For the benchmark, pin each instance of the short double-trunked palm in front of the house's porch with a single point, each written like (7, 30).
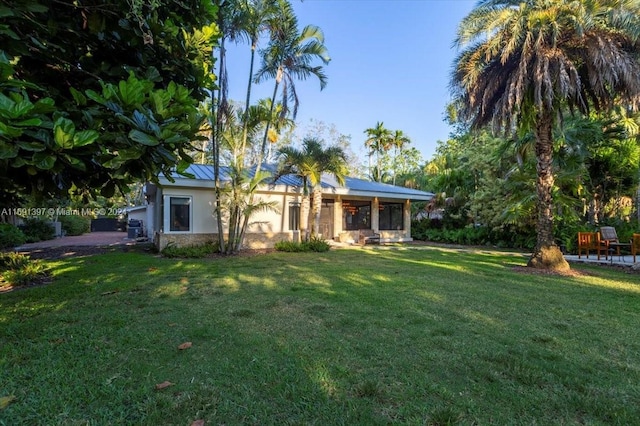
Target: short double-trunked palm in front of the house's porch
(309, 163)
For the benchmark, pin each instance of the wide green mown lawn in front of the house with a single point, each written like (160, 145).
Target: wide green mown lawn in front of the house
(359, 337)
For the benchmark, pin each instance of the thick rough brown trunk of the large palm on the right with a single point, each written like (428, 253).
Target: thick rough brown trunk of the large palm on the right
(547, 254)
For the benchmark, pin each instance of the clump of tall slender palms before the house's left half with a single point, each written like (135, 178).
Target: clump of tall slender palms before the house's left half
(290, 54)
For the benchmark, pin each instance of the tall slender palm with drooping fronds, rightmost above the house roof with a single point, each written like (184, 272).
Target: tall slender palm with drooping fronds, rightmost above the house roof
(289, 56)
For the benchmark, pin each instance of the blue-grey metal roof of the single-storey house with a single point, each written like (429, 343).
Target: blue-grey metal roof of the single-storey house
(353, 186)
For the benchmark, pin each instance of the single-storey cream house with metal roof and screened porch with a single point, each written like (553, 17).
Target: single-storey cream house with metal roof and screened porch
(182, 212)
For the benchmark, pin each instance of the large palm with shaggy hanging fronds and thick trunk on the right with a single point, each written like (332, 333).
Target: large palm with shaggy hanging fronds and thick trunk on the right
(523, 61)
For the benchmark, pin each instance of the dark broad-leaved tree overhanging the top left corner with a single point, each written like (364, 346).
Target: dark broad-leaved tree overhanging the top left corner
(105, 98)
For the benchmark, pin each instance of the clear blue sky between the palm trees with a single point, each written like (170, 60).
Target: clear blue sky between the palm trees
(390, 62)
